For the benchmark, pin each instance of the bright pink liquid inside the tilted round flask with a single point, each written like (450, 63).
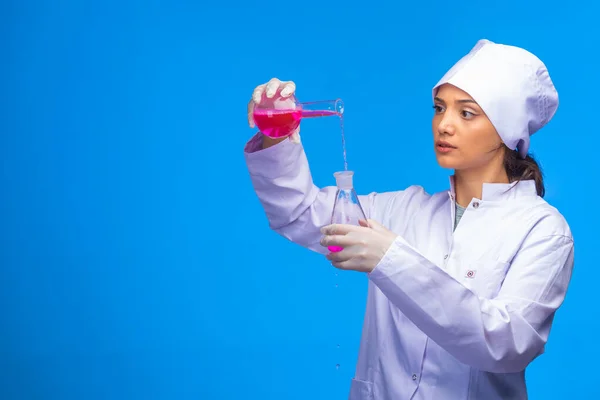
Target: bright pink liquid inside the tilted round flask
(281, 123)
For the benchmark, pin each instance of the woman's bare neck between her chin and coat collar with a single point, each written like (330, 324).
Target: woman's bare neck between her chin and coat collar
(468, 184)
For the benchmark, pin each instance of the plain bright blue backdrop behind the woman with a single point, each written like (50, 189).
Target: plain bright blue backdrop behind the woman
(136, 261)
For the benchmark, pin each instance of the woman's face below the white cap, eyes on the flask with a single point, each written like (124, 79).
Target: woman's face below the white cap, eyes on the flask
(464, 137)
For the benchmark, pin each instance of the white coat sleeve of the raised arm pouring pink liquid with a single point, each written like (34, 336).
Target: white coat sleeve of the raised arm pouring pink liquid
(295, 207)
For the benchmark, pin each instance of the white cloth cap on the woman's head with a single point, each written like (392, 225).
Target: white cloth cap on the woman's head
(511, 85)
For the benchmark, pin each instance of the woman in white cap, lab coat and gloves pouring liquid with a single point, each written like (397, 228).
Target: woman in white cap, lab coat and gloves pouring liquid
(463, 284)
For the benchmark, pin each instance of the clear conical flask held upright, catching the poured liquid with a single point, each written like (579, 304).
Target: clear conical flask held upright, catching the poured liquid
(347, 208)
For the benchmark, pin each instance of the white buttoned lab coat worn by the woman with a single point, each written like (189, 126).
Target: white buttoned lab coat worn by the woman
(450, 314)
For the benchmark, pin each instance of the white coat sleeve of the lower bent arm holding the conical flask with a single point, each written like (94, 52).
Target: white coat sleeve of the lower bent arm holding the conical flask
(503, 334)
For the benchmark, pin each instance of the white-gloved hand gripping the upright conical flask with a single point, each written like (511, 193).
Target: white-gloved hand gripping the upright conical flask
(363, 246)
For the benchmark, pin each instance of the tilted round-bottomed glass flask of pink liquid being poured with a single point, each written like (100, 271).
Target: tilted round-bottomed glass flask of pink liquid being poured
(280, 116)
